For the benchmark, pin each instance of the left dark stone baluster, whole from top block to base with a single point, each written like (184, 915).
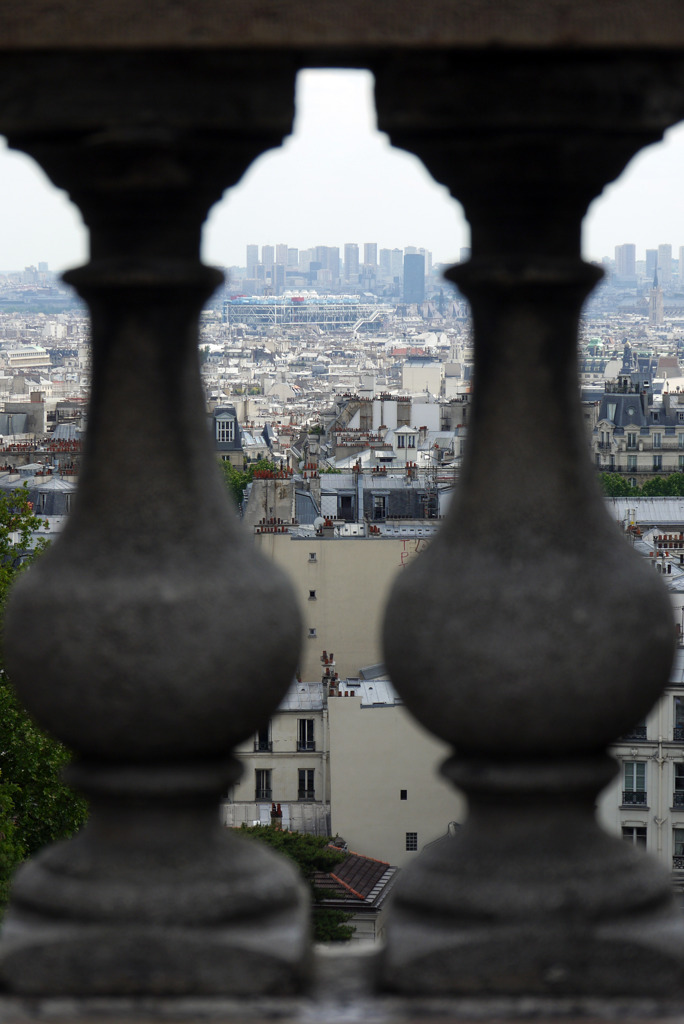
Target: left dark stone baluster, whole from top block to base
(151, 638)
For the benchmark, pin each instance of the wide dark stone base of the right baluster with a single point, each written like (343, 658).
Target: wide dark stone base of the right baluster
(533, 898)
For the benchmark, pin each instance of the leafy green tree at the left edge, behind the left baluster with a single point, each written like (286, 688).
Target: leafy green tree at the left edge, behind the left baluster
(35, 807)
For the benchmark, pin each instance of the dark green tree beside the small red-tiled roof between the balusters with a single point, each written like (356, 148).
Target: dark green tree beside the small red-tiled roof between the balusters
(312, 855)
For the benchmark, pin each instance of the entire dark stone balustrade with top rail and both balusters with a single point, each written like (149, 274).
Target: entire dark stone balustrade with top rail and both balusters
(169, 643)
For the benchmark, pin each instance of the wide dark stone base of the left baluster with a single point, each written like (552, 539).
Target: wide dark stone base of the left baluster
(155, 898)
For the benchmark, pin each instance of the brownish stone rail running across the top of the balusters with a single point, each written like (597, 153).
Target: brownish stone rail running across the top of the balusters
(351, 24)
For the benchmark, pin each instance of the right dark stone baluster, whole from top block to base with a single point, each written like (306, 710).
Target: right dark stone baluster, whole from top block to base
(529, 635)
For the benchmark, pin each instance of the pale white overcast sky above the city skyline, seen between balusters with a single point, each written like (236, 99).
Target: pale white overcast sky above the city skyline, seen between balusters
(336, 180)
